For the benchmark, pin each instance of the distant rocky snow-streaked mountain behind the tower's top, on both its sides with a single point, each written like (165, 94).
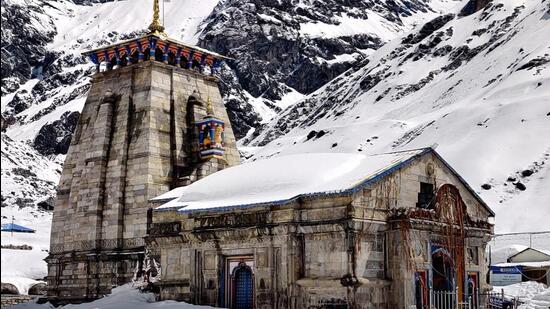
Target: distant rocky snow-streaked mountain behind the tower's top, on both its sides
(60, 76)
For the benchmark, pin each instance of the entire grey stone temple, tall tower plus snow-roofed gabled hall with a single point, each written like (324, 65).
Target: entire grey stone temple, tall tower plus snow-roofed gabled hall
(153, 192)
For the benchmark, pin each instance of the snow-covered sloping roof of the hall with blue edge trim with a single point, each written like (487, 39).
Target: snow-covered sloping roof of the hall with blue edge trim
(280, 180)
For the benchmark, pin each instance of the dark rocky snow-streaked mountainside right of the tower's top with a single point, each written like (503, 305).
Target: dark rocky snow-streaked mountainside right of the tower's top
(279, 45)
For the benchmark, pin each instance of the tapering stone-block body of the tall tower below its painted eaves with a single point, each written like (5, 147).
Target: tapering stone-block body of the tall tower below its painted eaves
(135, 140)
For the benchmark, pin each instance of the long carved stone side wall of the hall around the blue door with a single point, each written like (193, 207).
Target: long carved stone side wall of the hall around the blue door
(310, 254)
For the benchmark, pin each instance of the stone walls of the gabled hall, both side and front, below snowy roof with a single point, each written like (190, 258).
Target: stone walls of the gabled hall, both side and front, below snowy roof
(334, 250)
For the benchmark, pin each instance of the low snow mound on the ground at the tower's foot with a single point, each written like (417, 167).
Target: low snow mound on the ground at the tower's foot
(123, 297)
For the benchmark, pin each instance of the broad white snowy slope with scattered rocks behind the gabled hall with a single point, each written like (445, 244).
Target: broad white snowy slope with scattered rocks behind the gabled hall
(477, 85)
